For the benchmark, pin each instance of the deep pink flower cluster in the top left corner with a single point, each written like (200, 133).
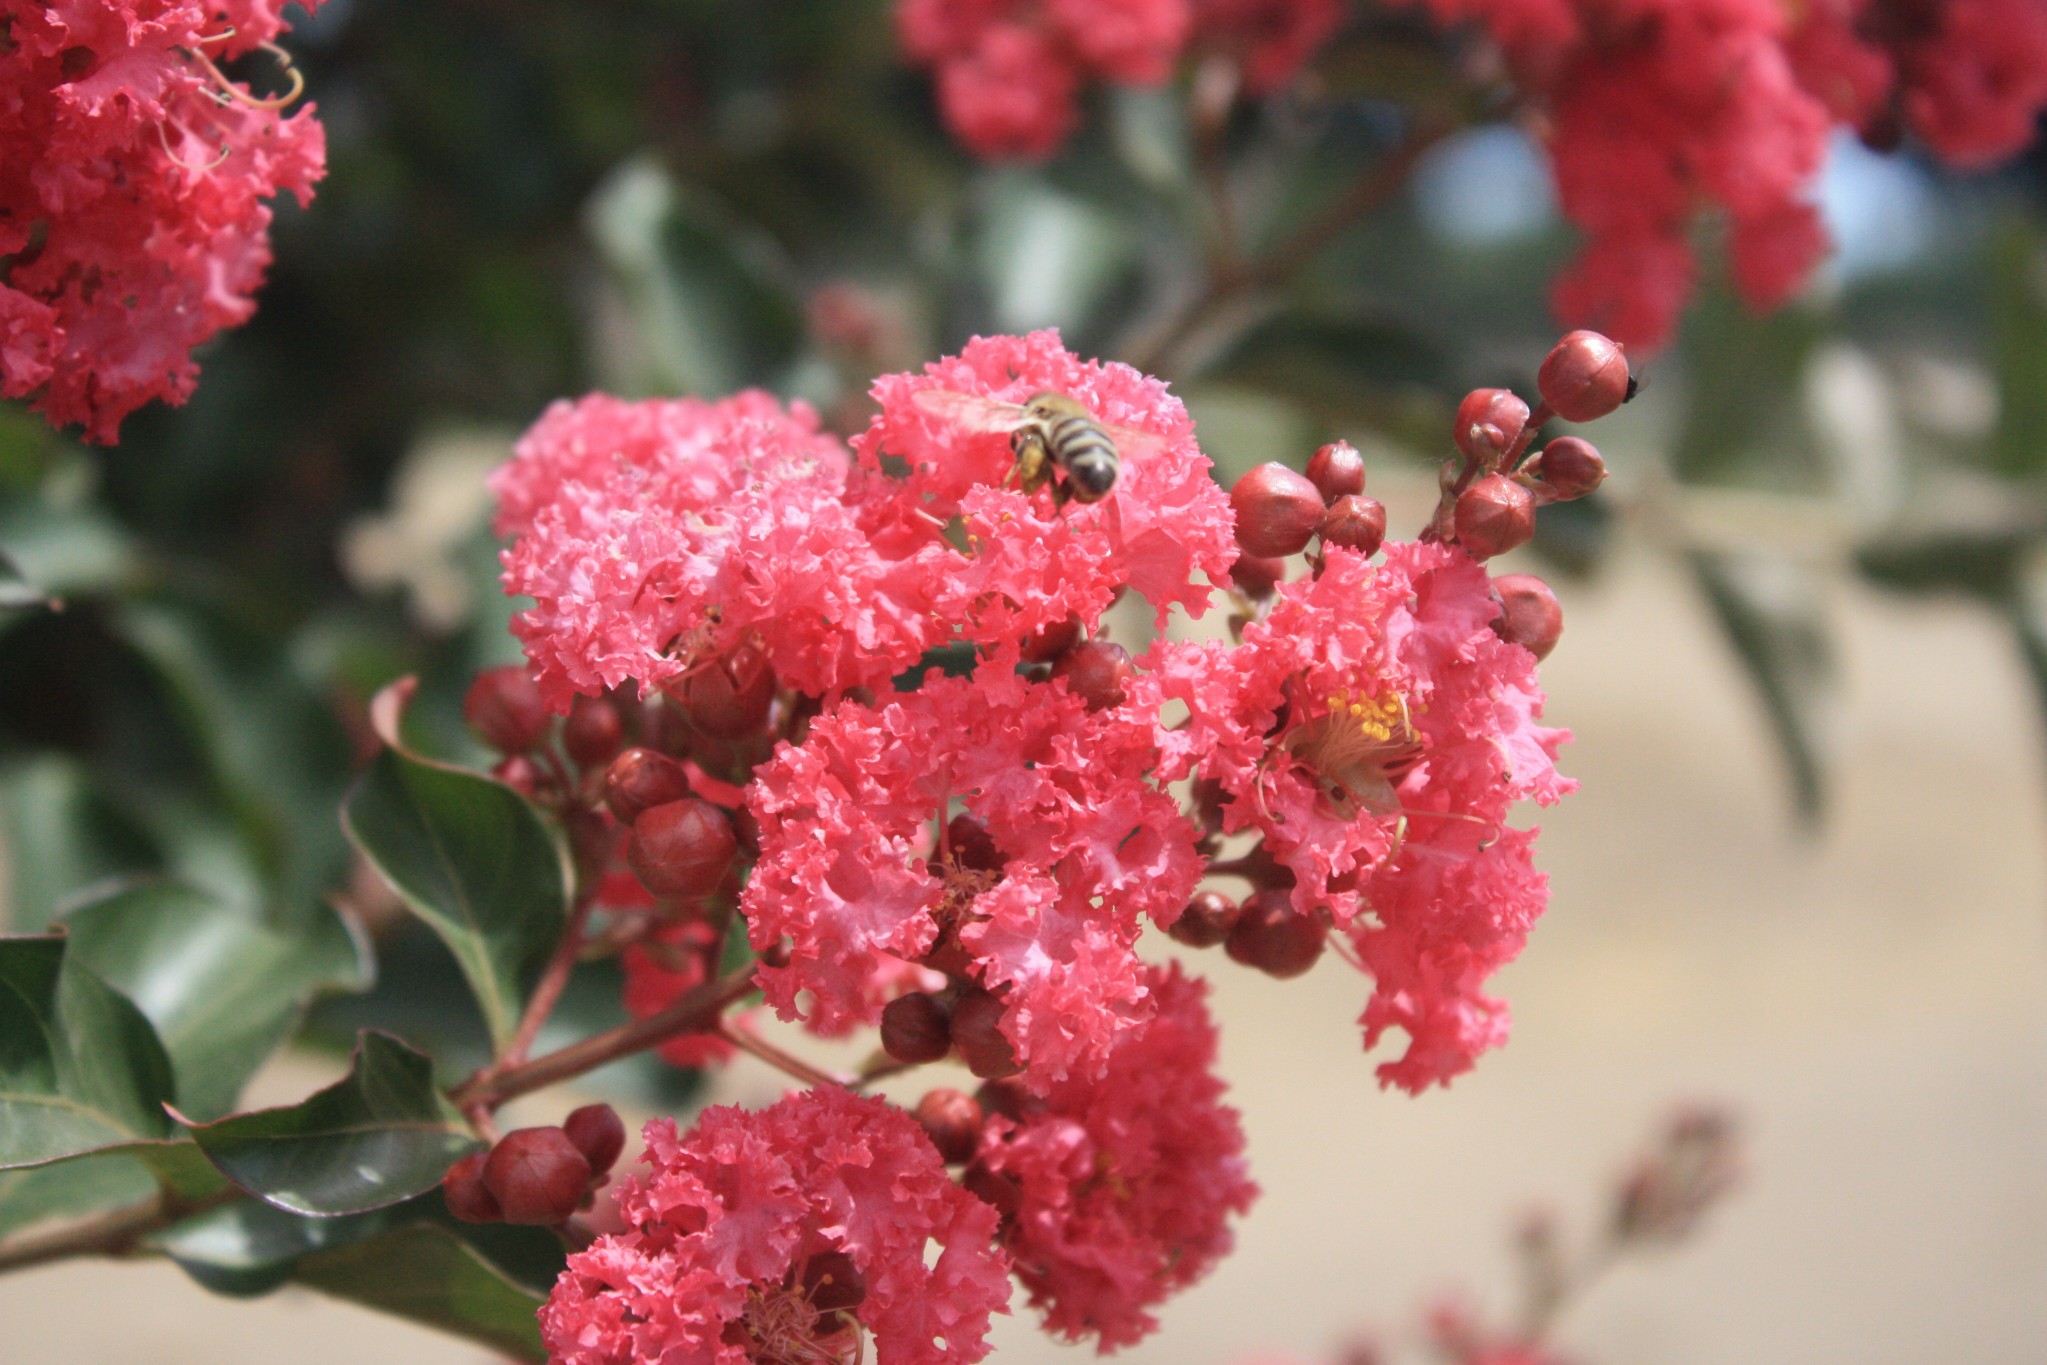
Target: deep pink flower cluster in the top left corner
(134, 195)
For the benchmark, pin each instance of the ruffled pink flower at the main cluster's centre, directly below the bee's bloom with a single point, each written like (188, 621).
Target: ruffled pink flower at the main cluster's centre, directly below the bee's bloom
(1084, 852)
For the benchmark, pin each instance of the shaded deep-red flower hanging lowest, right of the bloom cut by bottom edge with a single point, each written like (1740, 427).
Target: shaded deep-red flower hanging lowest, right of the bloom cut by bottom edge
(1123, 1188)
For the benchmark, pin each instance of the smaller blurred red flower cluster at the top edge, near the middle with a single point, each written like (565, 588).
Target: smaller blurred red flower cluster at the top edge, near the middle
(1010, 73)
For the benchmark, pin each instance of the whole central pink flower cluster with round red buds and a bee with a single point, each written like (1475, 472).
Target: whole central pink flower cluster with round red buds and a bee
(736, 715)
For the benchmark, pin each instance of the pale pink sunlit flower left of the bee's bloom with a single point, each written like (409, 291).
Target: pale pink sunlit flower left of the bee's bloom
(658, 537)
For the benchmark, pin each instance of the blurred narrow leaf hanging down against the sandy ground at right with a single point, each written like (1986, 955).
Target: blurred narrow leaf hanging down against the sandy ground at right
(1772, 615)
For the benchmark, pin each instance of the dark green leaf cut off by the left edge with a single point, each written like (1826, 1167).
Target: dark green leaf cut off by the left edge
(81, 1069)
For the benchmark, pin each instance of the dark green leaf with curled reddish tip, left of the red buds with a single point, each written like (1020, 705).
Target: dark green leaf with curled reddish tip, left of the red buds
(476, 863)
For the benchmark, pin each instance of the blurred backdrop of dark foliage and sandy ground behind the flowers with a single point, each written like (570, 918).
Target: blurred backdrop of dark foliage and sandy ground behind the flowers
(1806, 644)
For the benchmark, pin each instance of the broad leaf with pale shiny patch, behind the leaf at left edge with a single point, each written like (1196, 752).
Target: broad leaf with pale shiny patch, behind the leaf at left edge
(222, 985)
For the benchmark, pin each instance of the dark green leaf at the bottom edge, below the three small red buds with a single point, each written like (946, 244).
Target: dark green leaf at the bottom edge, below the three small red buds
(435, 1278)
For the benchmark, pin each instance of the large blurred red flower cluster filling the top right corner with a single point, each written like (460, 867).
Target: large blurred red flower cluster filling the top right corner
(1661, 107)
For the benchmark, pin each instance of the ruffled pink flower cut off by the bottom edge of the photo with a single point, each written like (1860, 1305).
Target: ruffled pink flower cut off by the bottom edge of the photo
(785, 1237)
